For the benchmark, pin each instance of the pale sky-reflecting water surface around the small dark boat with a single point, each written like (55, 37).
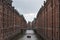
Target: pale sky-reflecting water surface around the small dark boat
(29, 33)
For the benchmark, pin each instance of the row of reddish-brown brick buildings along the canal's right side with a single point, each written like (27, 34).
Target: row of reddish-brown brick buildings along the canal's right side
(48, 20)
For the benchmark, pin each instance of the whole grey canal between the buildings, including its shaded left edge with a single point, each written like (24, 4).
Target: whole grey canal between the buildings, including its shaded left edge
(29, 35)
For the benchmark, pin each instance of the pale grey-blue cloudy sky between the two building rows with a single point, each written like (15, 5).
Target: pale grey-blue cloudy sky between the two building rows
(28, 8)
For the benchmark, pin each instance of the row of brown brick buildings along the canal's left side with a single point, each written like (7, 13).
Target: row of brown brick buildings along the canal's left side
(11, 22)
